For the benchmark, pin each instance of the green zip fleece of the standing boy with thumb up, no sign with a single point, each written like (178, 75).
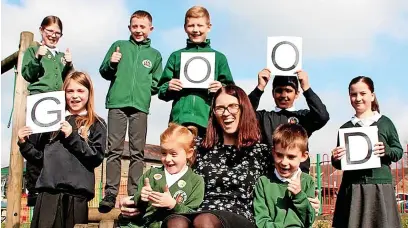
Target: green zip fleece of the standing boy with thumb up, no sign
(134, 79)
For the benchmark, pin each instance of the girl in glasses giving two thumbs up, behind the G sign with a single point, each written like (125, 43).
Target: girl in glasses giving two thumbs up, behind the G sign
(45, 68)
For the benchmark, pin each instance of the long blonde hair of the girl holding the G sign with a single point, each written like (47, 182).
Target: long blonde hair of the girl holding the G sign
(86, 120)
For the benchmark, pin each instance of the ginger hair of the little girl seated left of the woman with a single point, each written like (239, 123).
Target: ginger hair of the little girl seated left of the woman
(184, 135)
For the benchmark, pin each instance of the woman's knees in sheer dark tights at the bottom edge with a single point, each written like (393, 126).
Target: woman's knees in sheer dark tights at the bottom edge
(205, 220)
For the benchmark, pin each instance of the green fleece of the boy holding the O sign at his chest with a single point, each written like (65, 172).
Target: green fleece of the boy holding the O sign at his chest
(192, 105)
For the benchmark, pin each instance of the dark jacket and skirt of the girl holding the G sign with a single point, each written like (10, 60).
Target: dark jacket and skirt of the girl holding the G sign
(67, 179)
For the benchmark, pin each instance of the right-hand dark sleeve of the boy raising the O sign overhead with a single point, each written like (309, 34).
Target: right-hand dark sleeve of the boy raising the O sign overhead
(317, 116)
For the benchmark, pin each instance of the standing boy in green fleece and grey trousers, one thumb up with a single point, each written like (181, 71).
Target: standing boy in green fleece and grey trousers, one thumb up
(133, 67)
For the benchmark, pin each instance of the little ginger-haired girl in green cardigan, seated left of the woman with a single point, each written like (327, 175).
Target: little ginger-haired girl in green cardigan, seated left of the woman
(173, 188)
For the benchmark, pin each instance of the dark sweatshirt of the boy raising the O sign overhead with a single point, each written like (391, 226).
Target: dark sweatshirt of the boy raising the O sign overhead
(311, 119)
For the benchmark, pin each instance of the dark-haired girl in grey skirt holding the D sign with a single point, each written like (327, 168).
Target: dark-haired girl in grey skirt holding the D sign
(368, 193)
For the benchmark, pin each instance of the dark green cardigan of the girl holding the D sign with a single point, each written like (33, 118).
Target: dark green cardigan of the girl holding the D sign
(393, 153)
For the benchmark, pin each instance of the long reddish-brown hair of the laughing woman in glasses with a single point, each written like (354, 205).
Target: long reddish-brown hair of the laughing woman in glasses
(248, 132)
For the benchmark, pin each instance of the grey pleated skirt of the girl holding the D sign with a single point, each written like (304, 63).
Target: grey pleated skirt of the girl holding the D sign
(366, 206)
